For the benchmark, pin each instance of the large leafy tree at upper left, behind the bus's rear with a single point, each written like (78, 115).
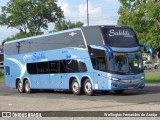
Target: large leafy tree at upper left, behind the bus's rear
(30, 15)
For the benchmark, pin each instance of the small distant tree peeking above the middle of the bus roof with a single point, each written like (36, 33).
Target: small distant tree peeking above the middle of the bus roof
(64, 25)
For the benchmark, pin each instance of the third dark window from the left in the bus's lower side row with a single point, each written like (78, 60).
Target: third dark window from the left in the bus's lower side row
(53, 65)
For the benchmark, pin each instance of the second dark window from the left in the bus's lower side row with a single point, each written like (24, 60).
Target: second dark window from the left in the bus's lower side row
(43, 68)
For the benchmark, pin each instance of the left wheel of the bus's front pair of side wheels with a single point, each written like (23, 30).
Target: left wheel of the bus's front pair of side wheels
(76, 90)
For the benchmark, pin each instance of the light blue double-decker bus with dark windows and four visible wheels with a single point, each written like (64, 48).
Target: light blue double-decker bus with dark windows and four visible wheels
(86, 59)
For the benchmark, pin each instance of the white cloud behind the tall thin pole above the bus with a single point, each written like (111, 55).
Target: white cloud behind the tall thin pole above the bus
(96, 16)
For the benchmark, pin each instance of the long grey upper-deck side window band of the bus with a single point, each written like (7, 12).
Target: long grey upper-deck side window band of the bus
(46, 42)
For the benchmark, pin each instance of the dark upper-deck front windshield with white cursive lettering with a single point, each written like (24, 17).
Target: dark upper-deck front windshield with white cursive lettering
(119, 37)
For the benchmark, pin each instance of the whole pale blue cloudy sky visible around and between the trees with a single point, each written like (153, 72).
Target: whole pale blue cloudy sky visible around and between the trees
(101, 12)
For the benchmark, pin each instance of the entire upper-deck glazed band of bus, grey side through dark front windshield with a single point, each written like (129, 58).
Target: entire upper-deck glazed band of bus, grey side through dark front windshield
(111, 35)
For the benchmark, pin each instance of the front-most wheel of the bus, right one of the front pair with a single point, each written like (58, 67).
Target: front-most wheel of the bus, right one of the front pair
(88, 90)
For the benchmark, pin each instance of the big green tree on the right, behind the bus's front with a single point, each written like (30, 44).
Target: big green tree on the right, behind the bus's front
(144, 17)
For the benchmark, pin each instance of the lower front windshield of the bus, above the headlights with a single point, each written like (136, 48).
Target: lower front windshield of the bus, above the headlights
(126, 63)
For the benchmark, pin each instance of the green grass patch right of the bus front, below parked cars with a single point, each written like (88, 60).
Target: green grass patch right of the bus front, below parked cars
(152, 77)
